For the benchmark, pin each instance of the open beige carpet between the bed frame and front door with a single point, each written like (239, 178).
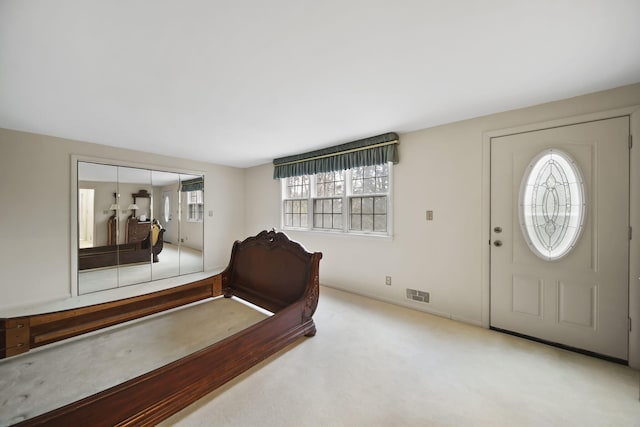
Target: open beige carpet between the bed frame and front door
(375, 364)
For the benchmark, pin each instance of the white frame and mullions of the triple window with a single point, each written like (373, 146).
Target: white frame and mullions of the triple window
(346, 207)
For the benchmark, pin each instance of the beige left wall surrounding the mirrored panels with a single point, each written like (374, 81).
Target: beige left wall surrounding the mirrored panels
(35, 225)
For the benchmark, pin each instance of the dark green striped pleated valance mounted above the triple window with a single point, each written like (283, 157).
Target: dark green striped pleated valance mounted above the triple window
(364, 152)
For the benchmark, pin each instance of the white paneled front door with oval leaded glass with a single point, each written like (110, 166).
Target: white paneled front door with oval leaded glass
(574, 293)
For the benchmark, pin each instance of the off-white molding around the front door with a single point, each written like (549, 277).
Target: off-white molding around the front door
(634, 212)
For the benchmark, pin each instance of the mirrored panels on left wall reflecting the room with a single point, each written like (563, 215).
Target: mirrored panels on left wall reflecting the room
(137, 225)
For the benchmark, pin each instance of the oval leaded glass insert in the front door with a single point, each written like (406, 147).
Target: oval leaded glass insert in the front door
(552, 204)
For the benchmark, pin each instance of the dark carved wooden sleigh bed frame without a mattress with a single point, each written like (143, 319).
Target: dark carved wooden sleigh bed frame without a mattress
(268, 270)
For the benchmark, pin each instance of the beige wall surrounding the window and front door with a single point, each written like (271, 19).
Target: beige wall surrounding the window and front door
(444, 169)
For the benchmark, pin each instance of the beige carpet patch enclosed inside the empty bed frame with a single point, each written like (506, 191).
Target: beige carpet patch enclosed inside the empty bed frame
(56, 375)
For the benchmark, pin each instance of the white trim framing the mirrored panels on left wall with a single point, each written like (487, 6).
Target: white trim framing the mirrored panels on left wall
(73, 218)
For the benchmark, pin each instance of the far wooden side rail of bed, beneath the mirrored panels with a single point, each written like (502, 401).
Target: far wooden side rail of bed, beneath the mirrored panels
(20, 334)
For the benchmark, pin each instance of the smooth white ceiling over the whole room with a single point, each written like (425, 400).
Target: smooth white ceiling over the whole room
(239, 82)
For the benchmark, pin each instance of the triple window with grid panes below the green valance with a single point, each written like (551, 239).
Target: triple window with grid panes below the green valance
(356, 200)
